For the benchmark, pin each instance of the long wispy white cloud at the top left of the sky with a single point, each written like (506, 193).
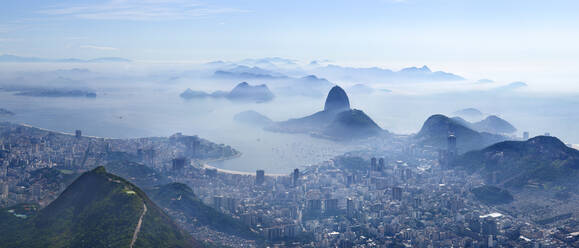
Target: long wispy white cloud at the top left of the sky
(140, 10)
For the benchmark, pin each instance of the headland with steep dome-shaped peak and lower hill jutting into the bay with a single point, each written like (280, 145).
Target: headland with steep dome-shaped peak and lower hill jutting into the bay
(337, 121)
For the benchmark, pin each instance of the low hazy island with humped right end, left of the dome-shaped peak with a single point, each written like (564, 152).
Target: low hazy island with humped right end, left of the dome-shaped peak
(241, 92)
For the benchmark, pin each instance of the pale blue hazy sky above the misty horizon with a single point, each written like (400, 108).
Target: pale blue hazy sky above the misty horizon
(473, 37)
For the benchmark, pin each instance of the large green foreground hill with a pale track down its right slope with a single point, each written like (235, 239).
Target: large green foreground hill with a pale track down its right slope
(98, 209)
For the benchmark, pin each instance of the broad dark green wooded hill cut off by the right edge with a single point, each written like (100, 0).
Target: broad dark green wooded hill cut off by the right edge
(538, 161)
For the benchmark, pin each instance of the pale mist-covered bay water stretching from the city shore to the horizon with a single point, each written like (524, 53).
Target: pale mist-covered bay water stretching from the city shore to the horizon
(139, 99)
